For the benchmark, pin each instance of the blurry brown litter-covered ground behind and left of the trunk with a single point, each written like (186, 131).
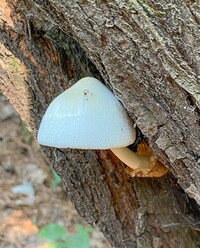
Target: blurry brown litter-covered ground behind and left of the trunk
(33, 203)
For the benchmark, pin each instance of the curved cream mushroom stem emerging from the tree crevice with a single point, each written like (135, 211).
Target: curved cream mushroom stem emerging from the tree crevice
(131, 159)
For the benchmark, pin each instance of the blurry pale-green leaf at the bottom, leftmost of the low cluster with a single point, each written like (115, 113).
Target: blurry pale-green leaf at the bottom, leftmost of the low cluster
(52, 232)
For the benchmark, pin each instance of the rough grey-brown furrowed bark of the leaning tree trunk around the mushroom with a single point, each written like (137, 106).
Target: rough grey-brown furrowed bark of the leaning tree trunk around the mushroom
(148, 54)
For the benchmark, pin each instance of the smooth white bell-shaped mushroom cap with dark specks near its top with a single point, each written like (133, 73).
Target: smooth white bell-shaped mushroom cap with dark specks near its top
(86, 116)
